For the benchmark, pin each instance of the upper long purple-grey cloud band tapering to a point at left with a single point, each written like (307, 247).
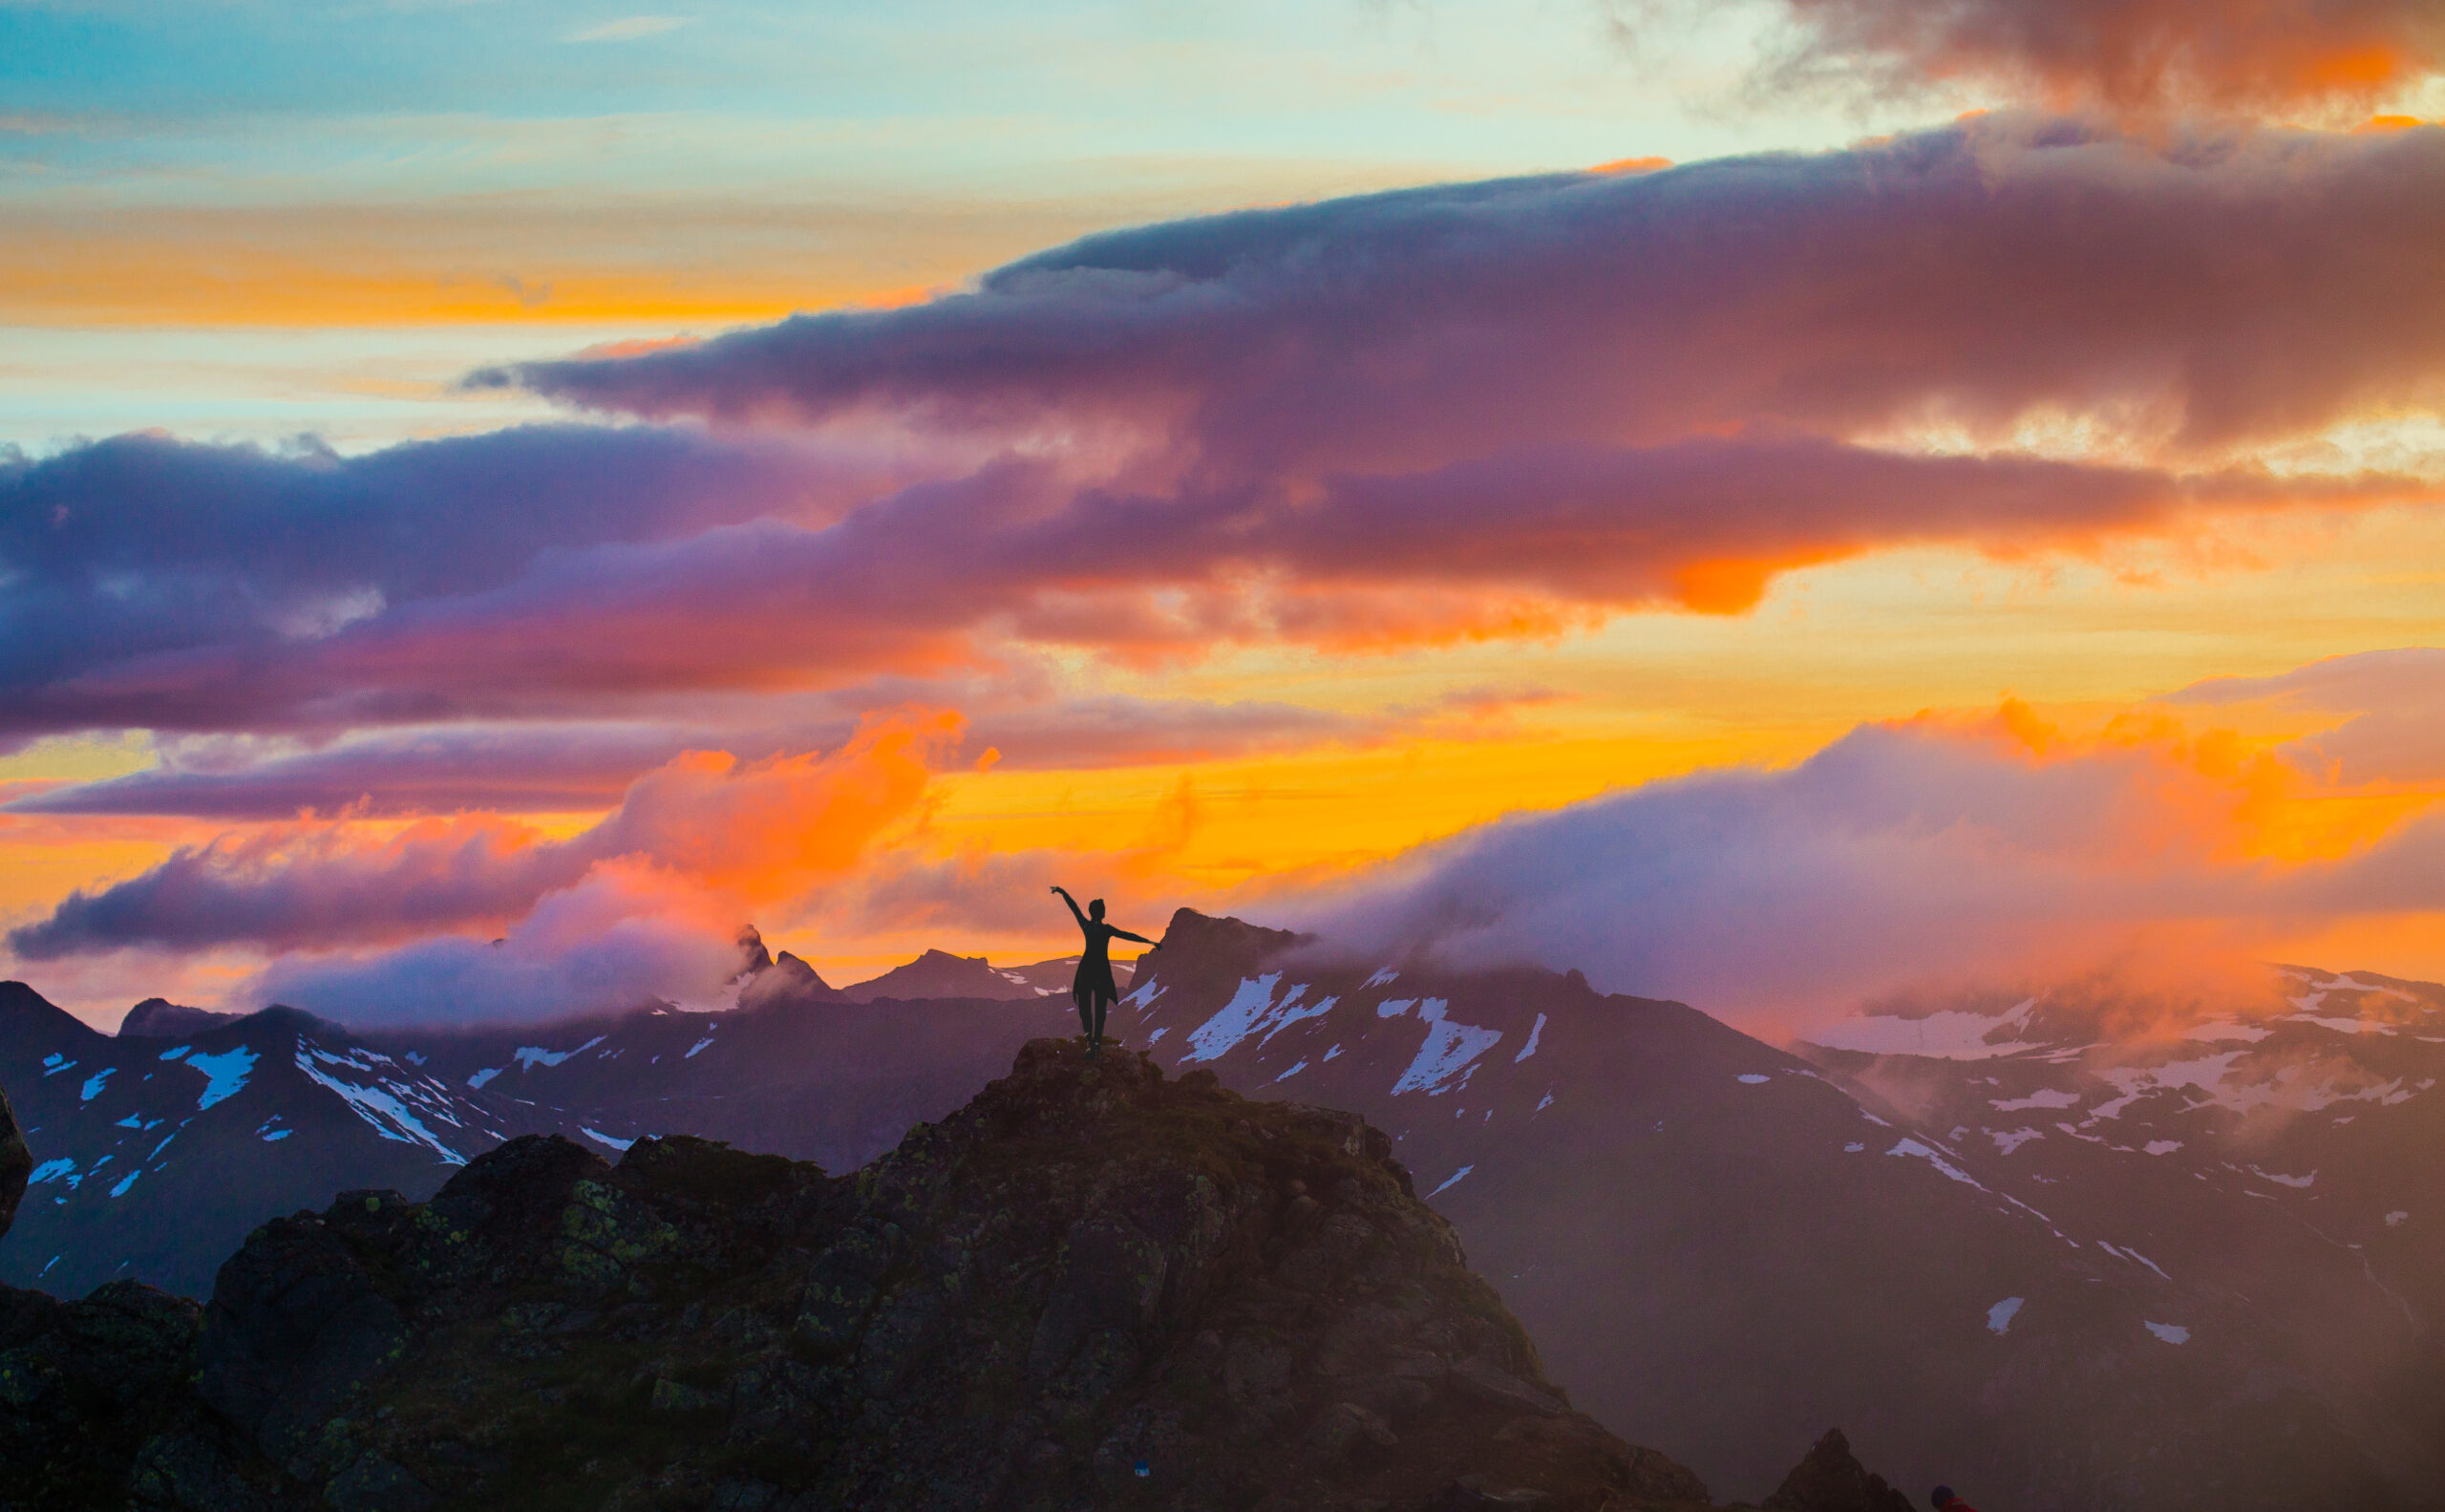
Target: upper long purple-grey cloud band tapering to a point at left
(2238, 285)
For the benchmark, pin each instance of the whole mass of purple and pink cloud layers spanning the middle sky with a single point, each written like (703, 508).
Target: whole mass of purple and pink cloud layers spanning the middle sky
(1397, 420)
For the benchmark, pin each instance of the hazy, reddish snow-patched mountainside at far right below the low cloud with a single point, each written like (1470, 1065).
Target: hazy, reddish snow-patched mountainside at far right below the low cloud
(2270, 1146)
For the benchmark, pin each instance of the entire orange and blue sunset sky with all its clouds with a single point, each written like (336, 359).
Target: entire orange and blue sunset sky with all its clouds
(1774, 505)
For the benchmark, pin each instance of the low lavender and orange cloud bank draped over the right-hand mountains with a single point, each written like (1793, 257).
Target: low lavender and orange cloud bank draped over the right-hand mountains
(1908, 855)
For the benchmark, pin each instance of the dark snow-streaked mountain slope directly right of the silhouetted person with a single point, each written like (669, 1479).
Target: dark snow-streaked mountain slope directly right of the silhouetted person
(1671, 1207)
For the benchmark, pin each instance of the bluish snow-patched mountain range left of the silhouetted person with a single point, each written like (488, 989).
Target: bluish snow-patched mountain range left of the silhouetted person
(158, 1156)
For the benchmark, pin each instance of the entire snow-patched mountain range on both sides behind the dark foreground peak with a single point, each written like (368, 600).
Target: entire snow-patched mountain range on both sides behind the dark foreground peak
(2048, 1251)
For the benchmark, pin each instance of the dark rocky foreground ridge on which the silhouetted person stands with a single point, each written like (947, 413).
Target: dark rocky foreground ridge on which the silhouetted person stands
(1089, 1288)
